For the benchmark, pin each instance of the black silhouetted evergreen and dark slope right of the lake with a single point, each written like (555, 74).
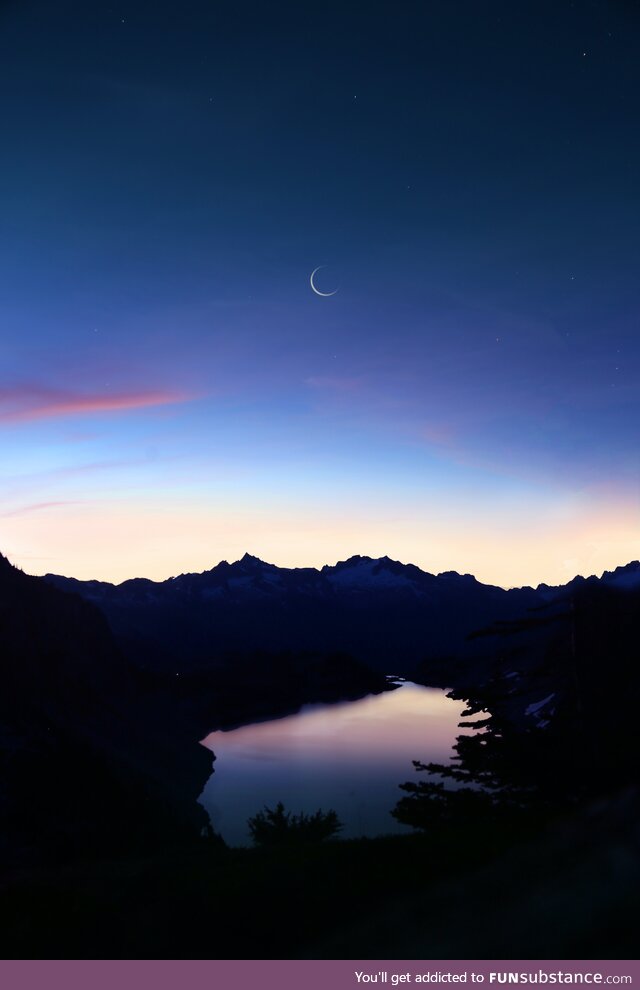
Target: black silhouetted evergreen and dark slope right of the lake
(582, 657)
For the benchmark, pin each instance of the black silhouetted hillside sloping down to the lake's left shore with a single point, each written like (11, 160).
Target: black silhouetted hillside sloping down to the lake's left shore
(83, 760)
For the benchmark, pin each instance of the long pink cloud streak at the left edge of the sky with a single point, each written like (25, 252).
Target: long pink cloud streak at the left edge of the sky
(21, 403)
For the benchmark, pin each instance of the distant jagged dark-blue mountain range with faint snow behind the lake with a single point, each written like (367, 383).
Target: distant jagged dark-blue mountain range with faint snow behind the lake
(390, 616)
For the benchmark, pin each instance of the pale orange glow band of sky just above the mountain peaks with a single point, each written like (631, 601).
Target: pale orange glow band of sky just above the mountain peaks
(115, 541)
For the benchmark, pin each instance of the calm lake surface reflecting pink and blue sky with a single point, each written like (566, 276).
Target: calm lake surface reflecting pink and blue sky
(348, 756)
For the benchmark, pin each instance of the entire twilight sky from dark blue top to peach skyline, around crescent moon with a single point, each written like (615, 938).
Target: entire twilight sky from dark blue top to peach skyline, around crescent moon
(172, 391)
